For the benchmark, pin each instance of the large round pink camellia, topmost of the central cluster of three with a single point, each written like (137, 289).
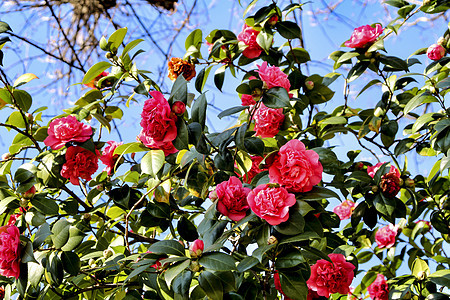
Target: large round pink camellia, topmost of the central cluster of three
(296, 168)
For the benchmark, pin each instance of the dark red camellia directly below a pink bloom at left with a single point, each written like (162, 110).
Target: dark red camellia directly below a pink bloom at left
(80, 163)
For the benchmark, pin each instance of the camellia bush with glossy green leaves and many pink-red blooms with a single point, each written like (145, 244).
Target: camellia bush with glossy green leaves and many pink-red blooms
(246, 213)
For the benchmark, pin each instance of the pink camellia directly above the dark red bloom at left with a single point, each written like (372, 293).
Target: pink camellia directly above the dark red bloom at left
(66, 129)
